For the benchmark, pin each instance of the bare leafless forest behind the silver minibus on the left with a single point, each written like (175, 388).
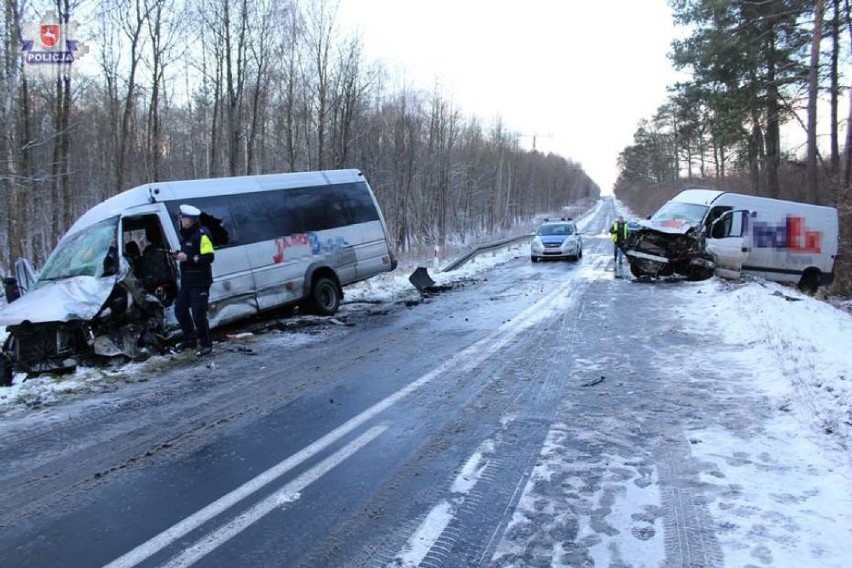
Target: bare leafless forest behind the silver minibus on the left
(196, 89)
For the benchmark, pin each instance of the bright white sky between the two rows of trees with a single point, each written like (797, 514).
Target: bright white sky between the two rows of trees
(579, 75)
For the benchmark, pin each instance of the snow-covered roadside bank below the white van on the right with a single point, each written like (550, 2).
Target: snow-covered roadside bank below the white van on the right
(796, 347)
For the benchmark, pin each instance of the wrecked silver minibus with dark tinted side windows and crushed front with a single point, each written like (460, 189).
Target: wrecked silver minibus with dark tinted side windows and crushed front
(280, 239)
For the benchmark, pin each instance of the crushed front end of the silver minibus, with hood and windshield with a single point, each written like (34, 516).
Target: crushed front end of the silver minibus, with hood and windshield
(85, 304)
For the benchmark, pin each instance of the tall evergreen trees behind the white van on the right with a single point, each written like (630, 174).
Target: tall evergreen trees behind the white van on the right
(761, 72)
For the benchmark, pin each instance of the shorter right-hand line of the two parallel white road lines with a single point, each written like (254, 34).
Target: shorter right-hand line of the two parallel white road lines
(287, 494)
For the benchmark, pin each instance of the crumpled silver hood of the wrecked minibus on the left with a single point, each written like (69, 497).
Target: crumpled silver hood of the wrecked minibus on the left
(78, 298)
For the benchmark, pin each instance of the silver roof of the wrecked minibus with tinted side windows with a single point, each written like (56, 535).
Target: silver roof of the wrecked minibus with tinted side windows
(197, 188)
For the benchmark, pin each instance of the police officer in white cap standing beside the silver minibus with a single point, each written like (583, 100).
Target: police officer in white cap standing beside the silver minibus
(196, 275)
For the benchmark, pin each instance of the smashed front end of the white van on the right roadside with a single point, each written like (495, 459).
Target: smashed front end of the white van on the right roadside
(668, 247)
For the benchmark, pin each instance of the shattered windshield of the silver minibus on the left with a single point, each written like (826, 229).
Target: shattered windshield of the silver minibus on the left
(90, 252)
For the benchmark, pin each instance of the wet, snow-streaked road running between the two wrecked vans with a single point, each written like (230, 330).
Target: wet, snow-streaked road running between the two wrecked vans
(539, 415)
